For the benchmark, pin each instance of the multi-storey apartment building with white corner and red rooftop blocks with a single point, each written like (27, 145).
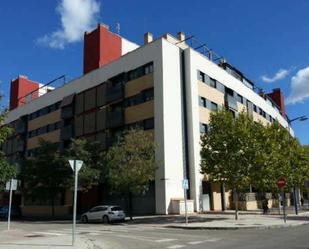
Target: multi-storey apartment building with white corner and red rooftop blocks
(164, 86)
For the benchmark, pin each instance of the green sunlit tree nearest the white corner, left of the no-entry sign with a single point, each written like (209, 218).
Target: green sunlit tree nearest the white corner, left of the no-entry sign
(226, 151)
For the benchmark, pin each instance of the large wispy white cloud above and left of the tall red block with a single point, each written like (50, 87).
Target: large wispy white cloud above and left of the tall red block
(77, 16)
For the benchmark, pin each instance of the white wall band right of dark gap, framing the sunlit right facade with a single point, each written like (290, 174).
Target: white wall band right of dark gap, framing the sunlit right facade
(196, 61)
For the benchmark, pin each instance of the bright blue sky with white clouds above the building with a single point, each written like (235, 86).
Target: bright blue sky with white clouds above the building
(268, 40)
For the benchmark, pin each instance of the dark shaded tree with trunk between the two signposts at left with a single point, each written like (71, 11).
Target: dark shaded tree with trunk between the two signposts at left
(47, 175)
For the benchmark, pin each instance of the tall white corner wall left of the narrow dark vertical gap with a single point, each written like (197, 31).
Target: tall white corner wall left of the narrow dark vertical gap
(170, 115)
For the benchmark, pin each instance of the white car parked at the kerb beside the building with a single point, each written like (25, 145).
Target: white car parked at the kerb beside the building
(104, 213)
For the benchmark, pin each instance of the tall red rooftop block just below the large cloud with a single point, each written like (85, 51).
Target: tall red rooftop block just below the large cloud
(100, 48)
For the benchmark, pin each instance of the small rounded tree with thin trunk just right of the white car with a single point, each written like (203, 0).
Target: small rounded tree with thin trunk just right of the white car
(131, 164)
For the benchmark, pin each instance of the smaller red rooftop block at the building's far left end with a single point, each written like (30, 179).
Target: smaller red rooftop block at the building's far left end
(21, 87)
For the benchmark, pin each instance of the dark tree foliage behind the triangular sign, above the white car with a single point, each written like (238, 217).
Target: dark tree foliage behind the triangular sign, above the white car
(93, 171)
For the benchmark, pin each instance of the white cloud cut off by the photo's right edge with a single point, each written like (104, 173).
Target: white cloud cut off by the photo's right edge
(299, 86)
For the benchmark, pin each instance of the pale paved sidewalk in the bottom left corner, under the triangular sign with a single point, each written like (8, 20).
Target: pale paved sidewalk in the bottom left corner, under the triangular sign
(21, 239)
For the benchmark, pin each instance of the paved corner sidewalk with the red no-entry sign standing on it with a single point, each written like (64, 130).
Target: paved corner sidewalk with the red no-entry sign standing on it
(223, 221)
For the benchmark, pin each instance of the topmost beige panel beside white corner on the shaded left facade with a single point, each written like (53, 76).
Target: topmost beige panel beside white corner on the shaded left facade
(134, 87)
